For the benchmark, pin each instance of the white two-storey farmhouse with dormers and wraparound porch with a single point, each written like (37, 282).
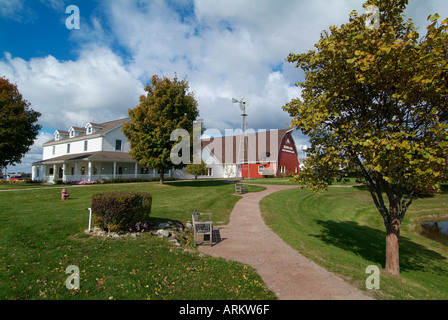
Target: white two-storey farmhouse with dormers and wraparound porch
(98, 151)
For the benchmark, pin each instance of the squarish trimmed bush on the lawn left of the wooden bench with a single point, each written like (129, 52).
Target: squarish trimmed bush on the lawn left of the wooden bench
(121, 211)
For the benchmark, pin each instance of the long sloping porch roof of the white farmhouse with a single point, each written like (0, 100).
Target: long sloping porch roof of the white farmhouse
(108, 156)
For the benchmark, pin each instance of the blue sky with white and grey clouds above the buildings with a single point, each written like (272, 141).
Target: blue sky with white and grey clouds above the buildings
(96, 71)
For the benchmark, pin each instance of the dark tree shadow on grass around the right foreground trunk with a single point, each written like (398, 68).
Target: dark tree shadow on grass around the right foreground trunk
(370, 244)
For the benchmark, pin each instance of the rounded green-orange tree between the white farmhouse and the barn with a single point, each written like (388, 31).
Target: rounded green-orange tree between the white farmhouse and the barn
(167, 106)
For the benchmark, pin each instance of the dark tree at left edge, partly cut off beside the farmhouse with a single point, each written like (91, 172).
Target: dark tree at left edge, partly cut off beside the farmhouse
(18, 124)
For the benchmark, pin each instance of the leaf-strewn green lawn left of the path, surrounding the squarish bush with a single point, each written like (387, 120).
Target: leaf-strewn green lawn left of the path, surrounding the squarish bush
(40, 236)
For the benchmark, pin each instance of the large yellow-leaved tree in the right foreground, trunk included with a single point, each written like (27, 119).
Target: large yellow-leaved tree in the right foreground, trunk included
(378, 99)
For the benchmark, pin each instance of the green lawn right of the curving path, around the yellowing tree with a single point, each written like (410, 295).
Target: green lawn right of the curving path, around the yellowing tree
(342, 230)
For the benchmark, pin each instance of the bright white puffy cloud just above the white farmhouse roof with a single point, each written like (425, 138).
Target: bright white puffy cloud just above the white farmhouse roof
(96, 87)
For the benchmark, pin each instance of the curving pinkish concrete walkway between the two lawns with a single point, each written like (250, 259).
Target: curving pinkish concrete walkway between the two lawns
(291, 276)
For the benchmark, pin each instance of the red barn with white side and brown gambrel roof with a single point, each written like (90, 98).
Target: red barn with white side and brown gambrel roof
(266, 153)
